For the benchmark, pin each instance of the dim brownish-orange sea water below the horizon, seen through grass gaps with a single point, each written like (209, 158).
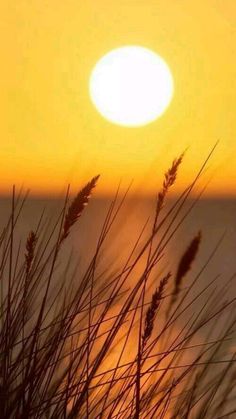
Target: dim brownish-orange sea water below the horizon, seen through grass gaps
(215, 218)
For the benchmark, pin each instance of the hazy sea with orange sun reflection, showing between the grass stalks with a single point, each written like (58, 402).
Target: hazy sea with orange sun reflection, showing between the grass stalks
(214, 266)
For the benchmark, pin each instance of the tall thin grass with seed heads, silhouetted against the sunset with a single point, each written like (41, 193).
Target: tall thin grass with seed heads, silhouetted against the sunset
(135, 342)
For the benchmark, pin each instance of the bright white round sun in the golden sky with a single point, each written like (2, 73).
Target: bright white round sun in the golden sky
(131, 86)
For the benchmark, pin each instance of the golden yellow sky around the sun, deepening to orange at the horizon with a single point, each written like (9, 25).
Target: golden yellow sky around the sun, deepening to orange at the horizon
(51, 134)
